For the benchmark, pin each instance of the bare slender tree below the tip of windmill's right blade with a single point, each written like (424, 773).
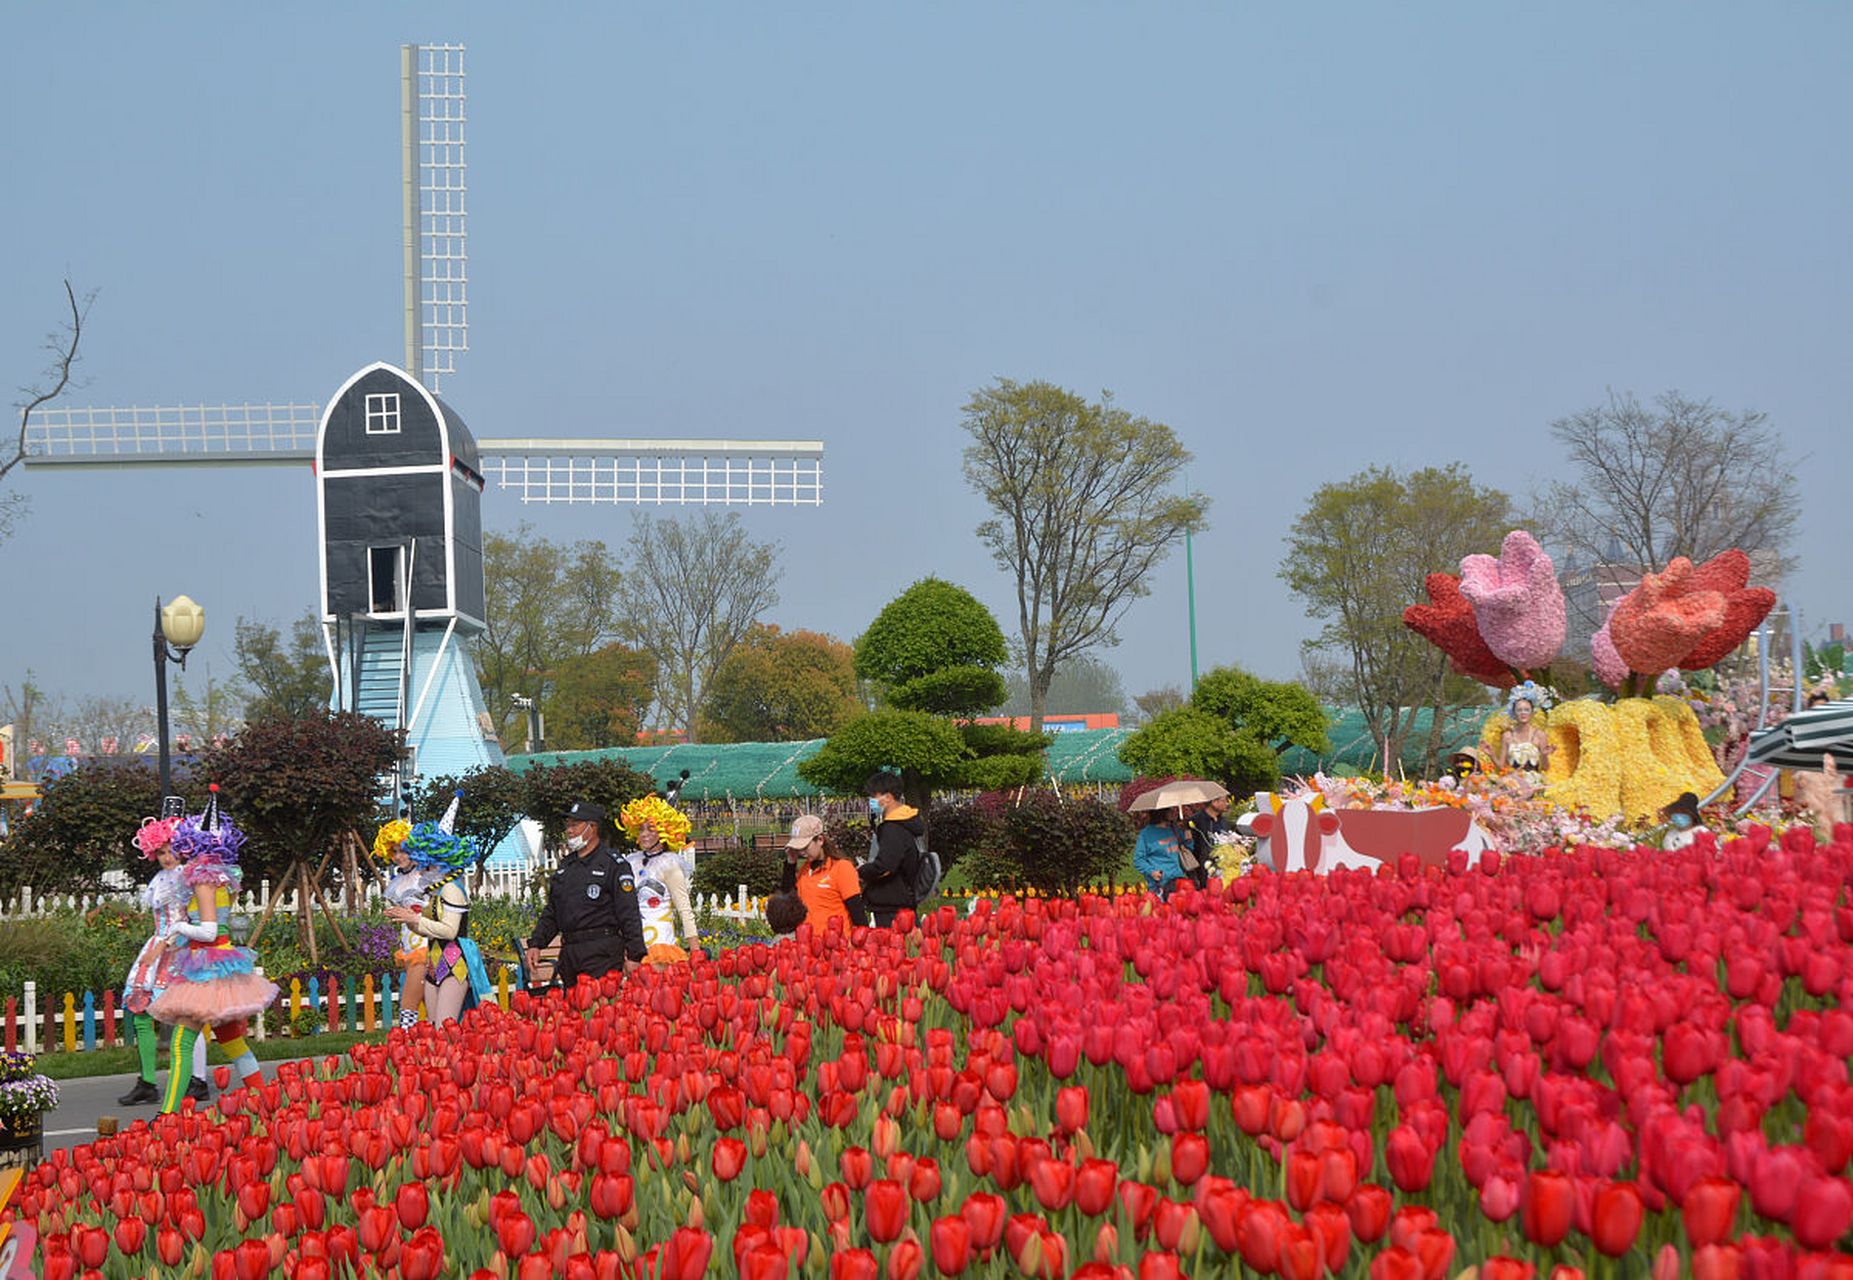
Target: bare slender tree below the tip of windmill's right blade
(692, 594)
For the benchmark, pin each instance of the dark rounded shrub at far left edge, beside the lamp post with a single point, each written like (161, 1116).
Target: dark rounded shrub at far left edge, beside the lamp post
(82, 829)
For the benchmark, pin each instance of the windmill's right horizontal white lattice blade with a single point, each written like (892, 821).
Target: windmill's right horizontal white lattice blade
(657, 471)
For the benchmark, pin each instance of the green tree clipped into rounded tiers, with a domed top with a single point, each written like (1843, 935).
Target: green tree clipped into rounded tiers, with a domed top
(933, 657)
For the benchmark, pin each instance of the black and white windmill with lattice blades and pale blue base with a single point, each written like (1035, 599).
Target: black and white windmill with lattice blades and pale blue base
(401, 477)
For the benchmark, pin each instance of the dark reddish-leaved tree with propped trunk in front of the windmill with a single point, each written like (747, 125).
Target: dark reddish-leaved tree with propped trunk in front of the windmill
(301, 788)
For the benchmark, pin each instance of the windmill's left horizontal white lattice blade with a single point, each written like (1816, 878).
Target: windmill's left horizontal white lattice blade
(218, 434)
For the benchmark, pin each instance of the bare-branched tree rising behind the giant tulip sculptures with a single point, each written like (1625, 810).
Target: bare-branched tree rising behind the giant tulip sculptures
(1674, 479)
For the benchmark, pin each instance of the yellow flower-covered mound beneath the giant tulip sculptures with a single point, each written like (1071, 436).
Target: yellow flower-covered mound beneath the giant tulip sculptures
(1630, 759)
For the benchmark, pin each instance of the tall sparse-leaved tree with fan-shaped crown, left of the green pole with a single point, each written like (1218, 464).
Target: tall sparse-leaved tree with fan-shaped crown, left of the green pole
(1085, 507)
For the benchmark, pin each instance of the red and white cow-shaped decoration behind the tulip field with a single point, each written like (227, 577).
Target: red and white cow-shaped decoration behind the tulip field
(1302, 835)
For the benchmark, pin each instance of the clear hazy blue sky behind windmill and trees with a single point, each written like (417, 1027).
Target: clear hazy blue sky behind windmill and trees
(1311, 238)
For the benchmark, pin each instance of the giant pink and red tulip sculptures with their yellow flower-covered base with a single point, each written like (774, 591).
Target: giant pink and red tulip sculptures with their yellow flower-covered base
(1504, 621)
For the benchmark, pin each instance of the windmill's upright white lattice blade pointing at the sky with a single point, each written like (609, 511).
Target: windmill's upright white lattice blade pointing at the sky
(435, 221)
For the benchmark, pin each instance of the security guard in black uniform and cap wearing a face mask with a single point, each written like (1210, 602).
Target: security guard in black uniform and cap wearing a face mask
(592, 905)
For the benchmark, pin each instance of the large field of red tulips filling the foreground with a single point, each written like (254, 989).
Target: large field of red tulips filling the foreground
(1585, 1062)
